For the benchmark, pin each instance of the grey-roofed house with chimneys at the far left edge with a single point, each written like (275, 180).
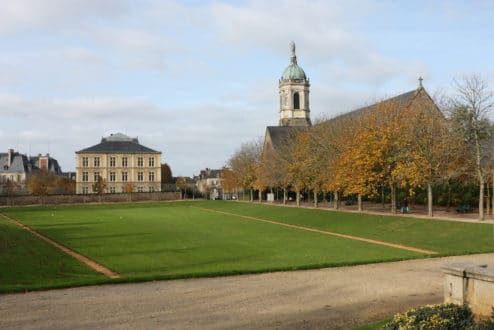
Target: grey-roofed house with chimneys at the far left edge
(17, 168)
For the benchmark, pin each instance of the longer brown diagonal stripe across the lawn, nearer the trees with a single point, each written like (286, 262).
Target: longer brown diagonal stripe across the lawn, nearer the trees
(356, 238)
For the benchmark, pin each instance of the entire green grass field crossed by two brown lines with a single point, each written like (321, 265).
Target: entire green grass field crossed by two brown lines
(176, 240)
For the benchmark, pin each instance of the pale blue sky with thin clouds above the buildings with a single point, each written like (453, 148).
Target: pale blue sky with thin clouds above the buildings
(196, 79)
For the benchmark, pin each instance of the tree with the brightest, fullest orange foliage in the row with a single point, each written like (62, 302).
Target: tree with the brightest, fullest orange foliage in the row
(379, 151)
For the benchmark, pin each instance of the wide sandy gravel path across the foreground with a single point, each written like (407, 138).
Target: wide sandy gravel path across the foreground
(326, 298)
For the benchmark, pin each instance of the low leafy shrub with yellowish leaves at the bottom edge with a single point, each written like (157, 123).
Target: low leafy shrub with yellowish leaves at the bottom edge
(443, 316)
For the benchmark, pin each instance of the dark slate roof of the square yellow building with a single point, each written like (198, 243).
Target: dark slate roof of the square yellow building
(118, 143)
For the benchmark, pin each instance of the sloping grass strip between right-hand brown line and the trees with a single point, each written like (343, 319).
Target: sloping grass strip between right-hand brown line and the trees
(445, 237)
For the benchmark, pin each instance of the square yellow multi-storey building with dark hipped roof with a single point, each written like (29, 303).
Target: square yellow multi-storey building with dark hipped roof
(122, 162)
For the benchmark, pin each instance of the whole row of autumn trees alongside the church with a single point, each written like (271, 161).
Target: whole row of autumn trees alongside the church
(395, 144)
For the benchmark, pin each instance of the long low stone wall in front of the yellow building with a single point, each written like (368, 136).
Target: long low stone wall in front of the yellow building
(81, 199)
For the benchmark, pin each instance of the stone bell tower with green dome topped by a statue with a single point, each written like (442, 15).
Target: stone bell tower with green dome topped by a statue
(294, 94)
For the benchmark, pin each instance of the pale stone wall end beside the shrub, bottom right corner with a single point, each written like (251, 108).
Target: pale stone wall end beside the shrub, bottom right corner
(472, 284)
